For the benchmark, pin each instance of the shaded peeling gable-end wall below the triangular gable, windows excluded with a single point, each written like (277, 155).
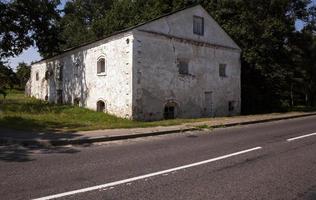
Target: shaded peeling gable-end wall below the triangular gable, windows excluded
(157, 79)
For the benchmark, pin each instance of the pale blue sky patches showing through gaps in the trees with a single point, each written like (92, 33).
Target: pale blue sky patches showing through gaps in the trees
(31, 54)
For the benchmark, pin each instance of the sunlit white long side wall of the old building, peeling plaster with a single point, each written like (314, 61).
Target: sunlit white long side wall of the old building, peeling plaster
(80, 79)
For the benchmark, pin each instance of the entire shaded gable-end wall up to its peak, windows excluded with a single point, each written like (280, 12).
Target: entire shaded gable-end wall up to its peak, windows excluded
(157, 48)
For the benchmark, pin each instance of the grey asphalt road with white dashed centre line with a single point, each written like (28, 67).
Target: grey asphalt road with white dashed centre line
(246, 162)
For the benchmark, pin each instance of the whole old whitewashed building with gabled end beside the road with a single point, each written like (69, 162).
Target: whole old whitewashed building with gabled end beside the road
(180, 65)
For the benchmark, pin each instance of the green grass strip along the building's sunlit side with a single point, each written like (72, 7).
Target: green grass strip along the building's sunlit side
(25, 113)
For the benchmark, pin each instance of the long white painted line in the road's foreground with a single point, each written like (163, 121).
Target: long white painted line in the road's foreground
(98, 187)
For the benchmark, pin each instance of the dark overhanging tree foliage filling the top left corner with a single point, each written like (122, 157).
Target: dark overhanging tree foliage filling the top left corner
(24, 23)
